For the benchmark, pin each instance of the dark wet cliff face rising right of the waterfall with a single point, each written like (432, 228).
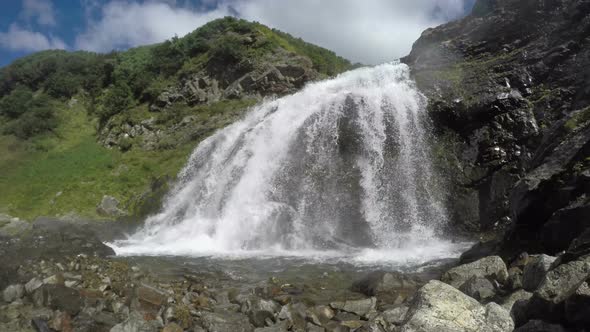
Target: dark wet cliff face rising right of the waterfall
(509, 90)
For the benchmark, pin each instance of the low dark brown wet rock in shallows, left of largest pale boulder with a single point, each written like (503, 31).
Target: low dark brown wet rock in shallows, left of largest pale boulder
(390, 287)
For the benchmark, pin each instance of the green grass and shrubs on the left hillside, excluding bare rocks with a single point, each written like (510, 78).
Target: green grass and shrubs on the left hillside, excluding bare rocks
(66, 171)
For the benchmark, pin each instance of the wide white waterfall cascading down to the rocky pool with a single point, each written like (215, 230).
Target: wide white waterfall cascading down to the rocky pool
(340, 168)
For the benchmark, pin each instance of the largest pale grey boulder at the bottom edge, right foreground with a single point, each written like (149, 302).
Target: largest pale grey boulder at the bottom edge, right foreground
(440, 307)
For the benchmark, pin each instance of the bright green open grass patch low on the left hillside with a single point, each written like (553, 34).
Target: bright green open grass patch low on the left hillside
(72, 163)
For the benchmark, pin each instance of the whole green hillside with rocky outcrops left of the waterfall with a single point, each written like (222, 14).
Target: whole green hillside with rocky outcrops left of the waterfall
(75, 126)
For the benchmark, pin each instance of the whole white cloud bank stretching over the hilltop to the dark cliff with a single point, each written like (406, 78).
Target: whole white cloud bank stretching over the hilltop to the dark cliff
(369, 31)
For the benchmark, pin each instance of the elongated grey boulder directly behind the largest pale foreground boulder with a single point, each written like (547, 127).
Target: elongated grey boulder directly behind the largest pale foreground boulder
(492, 267)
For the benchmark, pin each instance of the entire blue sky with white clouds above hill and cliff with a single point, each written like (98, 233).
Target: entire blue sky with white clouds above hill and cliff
(368, 31)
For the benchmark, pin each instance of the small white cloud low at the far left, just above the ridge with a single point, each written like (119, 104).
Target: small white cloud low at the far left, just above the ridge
(20, 39)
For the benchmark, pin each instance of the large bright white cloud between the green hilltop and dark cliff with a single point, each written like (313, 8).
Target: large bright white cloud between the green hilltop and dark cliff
(369, 31)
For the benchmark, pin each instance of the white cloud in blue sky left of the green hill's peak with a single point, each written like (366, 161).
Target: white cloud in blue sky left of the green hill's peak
(124, 24)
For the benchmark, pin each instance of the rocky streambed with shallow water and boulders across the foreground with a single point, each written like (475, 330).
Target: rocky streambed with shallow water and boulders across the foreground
(59, 276)
